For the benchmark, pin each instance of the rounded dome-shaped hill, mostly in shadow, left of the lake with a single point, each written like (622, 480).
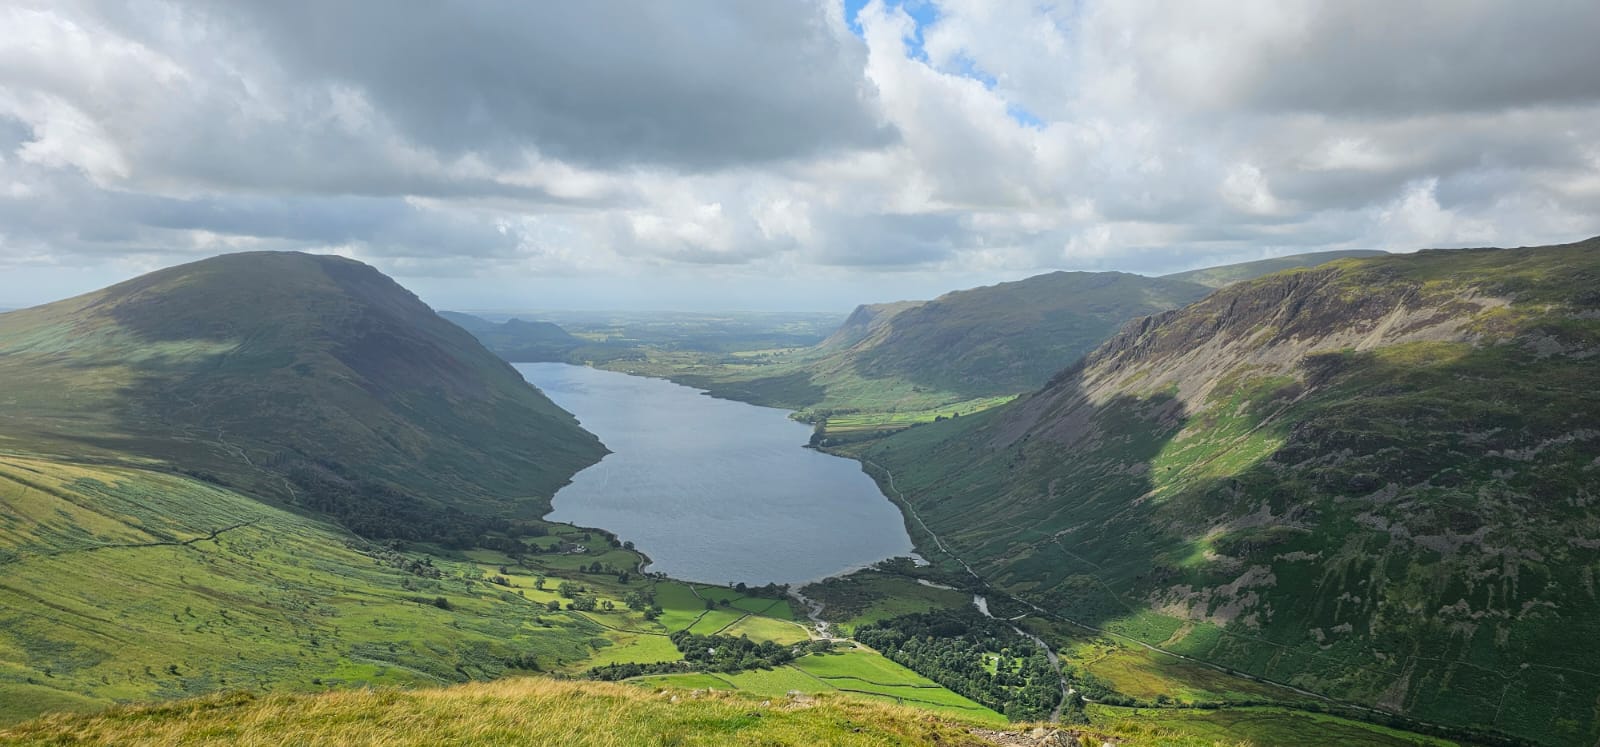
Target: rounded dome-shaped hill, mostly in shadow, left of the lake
(311, 380)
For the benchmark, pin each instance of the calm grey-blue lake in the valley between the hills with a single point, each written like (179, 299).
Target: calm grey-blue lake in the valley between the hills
(716, 490)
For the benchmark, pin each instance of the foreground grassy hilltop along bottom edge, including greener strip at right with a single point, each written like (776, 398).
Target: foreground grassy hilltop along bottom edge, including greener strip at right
(540, 713)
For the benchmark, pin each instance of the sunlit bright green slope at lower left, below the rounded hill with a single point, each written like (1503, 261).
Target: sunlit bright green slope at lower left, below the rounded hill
(126, 585)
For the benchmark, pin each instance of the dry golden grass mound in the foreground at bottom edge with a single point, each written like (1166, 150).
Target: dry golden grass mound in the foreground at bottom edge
(508, 713)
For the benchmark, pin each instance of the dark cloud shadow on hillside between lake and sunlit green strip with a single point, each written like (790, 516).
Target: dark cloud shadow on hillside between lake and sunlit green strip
(1062, 511)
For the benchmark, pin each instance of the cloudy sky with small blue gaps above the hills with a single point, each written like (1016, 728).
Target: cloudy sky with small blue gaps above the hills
(782, 154)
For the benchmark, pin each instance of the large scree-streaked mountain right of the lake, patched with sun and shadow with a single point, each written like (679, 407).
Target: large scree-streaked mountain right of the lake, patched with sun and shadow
(1374, 479)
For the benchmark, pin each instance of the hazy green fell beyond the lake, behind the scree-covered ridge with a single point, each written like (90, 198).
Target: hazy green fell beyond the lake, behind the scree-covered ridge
(962, 348)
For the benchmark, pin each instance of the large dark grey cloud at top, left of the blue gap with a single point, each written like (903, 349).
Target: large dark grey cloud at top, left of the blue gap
(692, 86)
